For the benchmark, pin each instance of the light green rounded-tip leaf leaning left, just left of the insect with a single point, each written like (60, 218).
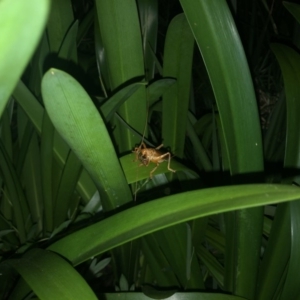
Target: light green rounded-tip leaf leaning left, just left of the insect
(77, 120)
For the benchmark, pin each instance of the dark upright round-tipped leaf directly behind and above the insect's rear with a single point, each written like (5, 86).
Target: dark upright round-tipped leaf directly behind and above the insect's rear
(178, 57)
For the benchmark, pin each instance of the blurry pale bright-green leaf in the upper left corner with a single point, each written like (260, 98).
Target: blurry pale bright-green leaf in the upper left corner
(21, 24)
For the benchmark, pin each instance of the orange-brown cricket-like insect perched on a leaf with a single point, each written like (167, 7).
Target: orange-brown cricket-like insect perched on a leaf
(146, 155)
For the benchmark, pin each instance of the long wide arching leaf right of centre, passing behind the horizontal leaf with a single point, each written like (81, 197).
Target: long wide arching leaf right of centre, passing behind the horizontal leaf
(217, 38)
